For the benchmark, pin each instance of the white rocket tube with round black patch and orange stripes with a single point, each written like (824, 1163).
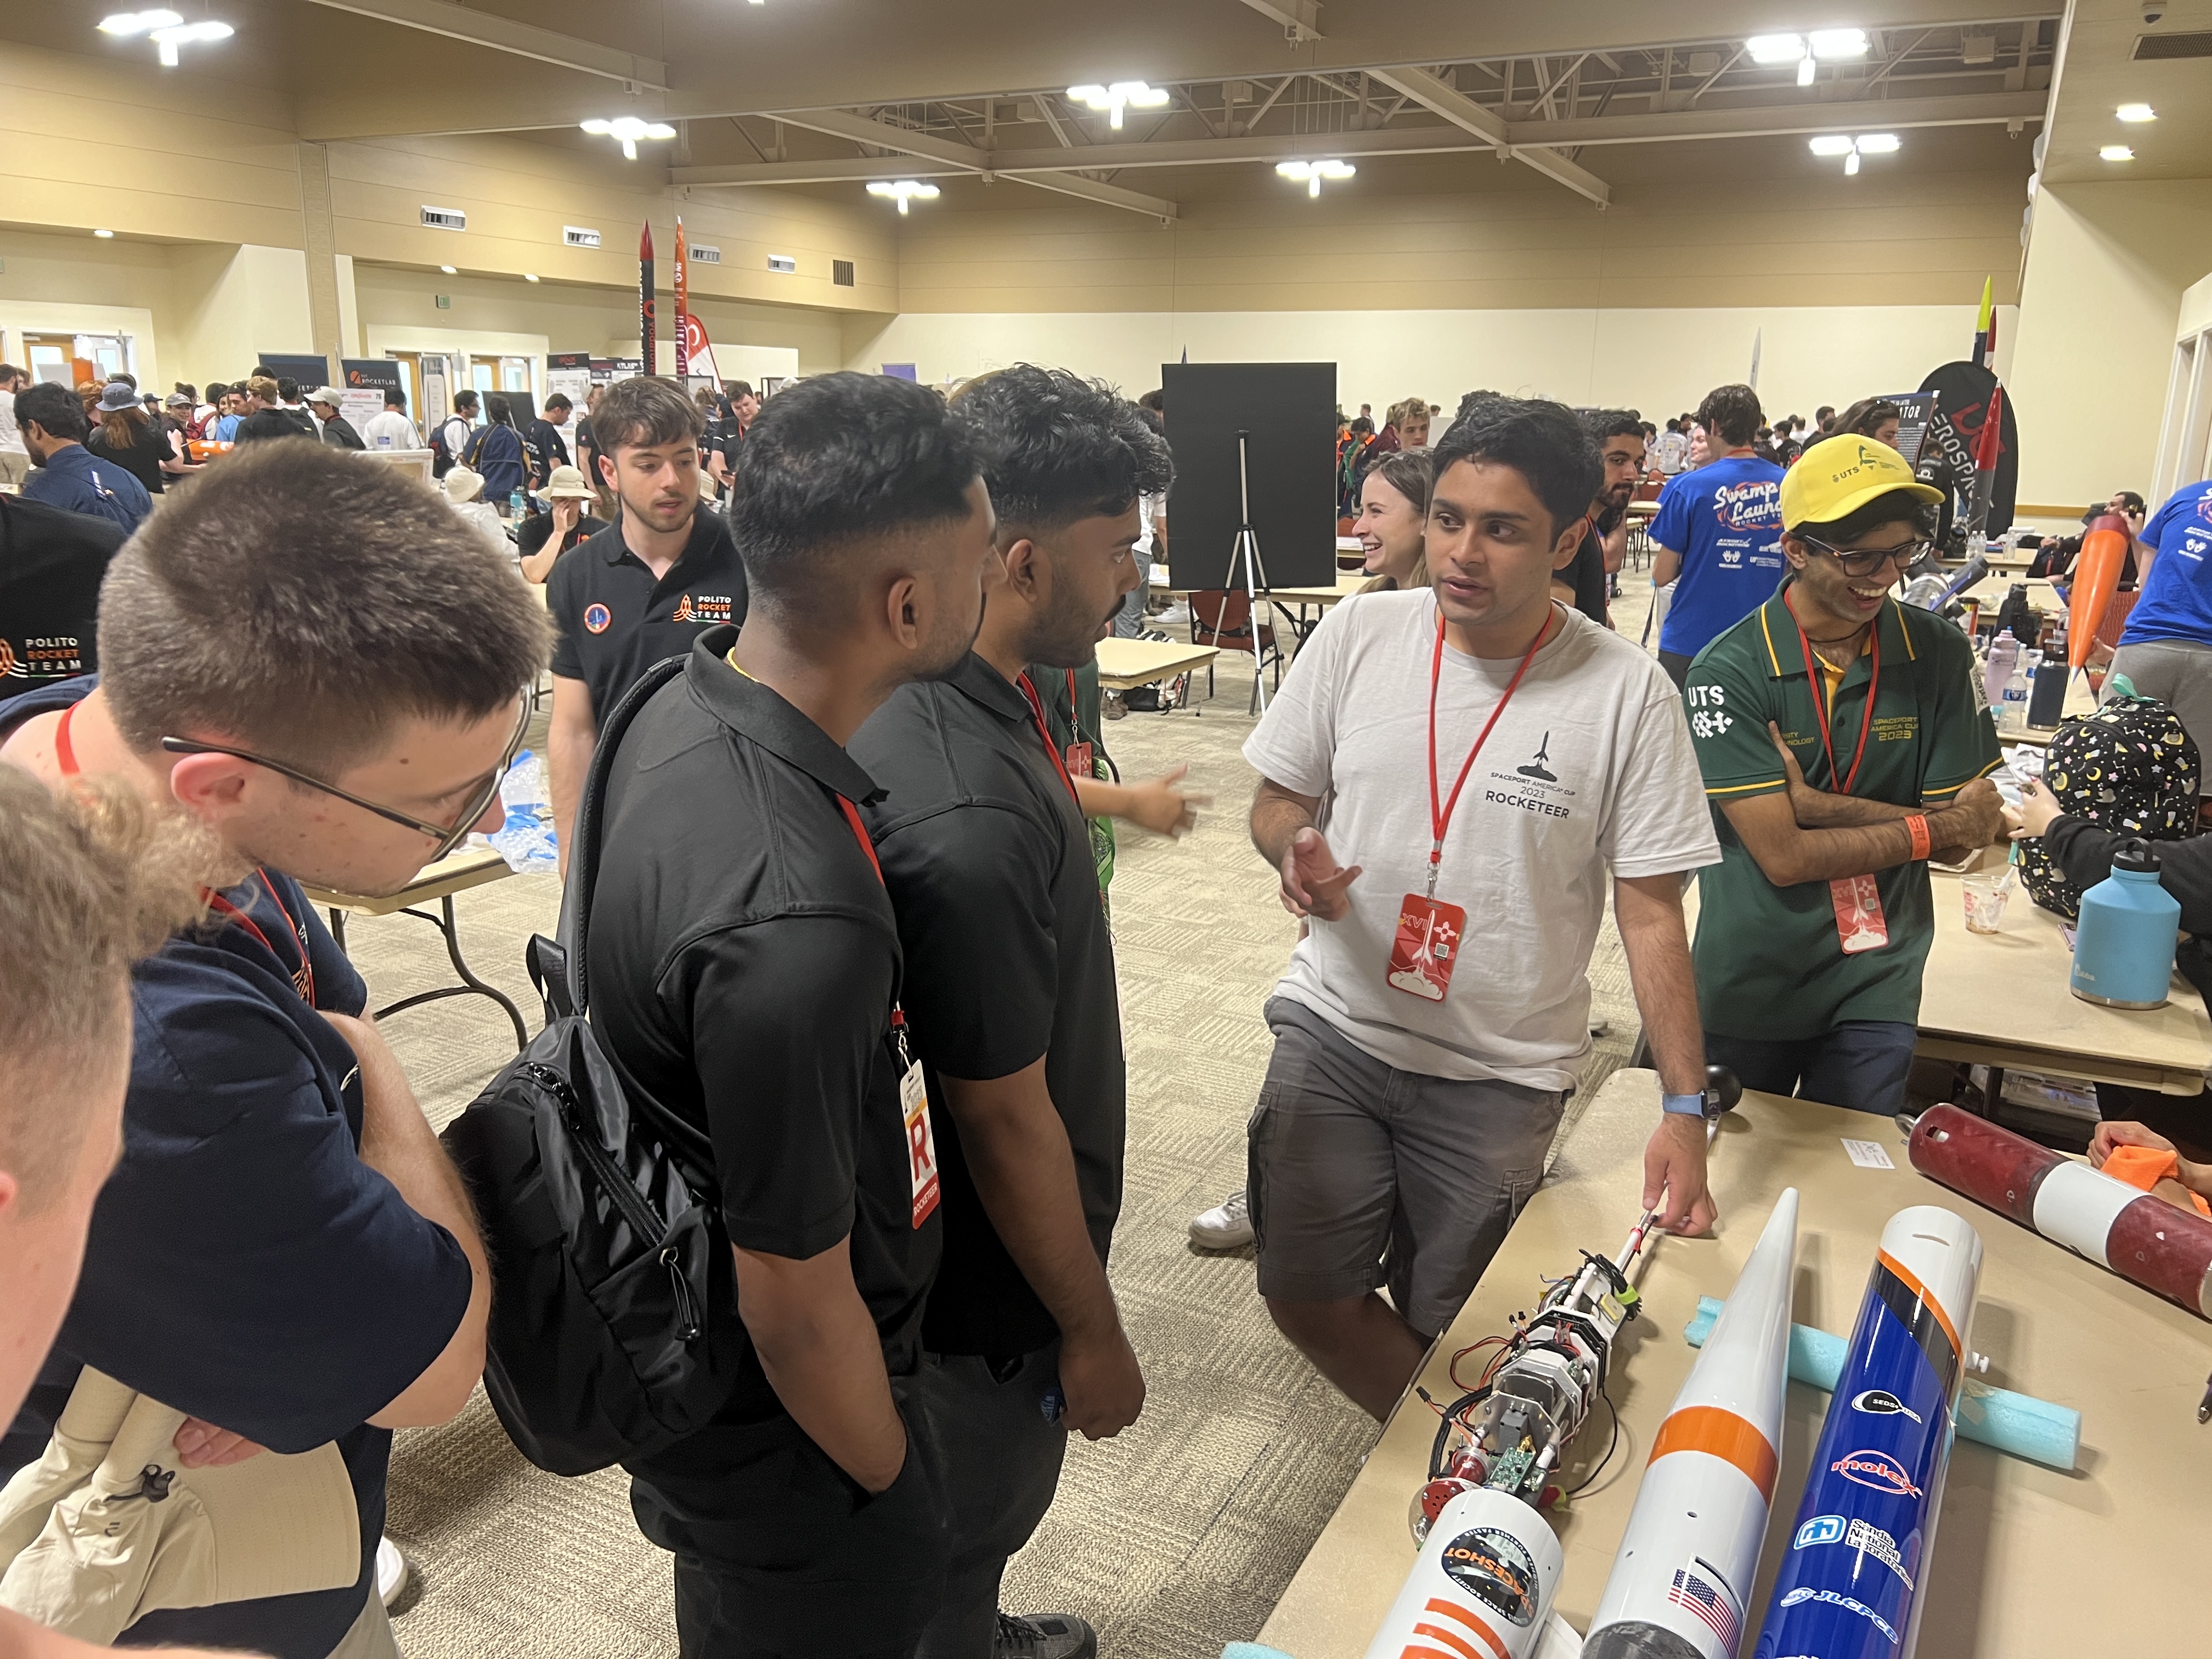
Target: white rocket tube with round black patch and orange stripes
(1483, 1585)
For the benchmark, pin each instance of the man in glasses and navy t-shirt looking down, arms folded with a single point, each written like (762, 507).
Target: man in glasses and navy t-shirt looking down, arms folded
(284, 1251)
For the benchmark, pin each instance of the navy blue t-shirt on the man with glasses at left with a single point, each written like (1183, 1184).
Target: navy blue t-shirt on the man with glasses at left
(244, 1264)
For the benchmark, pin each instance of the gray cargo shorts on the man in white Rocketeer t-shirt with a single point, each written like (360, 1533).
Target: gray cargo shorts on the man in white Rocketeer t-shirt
(1366, 1178)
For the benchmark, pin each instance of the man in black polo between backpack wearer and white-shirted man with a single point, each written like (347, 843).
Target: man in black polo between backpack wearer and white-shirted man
(1012, 997)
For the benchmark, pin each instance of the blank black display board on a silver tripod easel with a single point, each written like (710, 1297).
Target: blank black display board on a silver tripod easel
(1288, 413)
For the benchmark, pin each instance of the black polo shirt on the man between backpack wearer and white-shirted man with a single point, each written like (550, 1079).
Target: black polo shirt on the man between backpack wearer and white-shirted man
(1010, 959)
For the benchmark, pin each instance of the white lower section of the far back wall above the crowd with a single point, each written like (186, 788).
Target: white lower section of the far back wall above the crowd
(1658, 362)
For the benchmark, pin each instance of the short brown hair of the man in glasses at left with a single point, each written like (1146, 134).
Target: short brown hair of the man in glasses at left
(302, 601)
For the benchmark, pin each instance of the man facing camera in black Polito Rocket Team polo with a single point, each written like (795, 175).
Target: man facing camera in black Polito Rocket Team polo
(640, 589)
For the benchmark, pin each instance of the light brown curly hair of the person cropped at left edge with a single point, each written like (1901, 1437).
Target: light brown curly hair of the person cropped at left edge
(90, 881)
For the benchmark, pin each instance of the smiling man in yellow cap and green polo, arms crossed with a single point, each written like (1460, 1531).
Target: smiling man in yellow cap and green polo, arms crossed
(1841, 747)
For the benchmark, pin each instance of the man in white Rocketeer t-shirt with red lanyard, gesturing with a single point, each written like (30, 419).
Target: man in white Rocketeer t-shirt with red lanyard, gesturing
(1437, 1012)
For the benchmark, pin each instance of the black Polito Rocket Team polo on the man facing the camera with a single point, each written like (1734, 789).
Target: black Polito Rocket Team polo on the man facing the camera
(614, 620)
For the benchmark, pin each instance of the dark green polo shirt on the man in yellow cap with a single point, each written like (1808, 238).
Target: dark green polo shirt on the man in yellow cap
(1768, 959)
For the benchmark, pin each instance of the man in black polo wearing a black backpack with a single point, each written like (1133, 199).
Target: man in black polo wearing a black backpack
(747, 974)
